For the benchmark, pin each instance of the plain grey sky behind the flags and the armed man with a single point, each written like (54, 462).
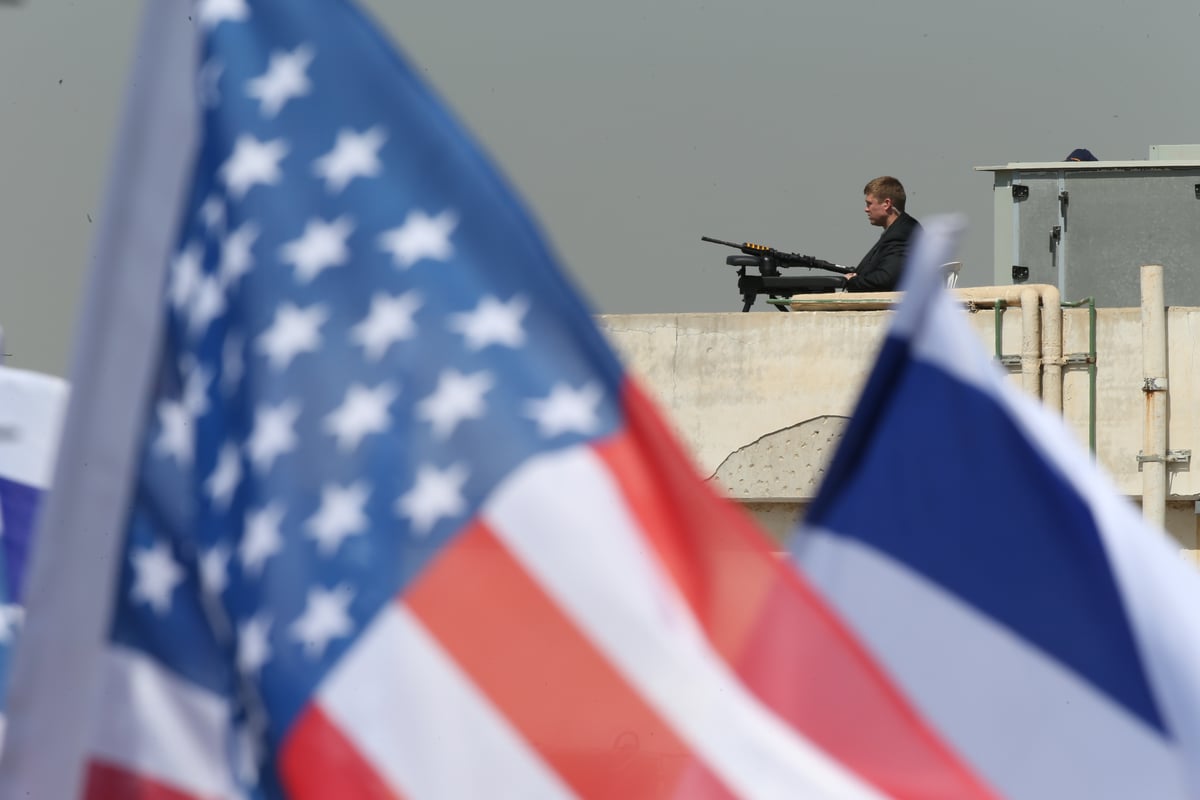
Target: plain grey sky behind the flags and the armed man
(632, 129)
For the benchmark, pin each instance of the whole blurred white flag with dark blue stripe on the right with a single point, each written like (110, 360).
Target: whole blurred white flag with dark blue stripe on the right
(1021, 604)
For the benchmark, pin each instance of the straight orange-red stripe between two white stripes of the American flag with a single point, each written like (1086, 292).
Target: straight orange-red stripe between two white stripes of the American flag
(551, 683)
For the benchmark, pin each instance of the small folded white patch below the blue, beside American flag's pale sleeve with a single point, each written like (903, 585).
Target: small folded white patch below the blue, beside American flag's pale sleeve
(163, 727)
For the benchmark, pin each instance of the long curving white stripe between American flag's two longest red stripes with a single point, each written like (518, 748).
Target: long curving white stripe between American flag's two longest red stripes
(565, 520)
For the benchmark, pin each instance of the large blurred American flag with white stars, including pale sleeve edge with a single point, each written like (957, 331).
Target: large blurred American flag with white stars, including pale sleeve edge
(361, 504)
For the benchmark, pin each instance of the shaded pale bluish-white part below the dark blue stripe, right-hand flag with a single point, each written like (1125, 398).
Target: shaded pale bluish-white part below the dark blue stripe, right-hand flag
(1035, 730)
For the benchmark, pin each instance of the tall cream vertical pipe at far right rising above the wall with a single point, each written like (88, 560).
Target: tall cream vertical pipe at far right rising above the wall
(1154, 372)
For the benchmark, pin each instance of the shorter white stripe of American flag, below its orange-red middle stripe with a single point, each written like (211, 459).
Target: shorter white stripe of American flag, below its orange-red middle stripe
(425, 729)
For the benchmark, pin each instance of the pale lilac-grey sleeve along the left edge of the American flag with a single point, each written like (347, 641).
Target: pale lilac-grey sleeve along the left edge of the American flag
(111, 374)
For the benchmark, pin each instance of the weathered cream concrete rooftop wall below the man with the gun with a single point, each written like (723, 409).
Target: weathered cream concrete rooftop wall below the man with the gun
(761, 398)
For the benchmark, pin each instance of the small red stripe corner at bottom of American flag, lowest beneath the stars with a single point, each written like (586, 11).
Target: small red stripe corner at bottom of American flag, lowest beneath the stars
(317, 761)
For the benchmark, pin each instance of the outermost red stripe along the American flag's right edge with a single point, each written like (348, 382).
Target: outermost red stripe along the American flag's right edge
(788, 646)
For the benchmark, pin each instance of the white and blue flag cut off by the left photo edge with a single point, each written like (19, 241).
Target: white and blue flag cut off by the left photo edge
(32, 408)
